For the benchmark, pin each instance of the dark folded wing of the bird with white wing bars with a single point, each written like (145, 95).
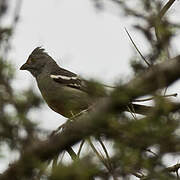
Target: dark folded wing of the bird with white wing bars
(67, 78)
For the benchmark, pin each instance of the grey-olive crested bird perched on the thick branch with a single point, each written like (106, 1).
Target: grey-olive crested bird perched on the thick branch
(64, 91)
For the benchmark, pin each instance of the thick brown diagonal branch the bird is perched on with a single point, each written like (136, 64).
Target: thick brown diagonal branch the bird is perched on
(97, 120)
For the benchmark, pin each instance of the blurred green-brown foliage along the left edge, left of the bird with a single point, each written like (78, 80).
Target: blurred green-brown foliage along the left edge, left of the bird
(14, 106)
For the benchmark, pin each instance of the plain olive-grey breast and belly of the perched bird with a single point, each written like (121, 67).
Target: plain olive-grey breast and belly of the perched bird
(64, 100)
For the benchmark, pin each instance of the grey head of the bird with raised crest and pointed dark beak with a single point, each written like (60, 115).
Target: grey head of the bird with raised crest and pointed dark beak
(36, 61)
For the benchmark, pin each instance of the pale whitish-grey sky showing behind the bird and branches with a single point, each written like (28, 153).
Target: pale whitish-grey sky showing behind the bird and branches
(84, 36)
